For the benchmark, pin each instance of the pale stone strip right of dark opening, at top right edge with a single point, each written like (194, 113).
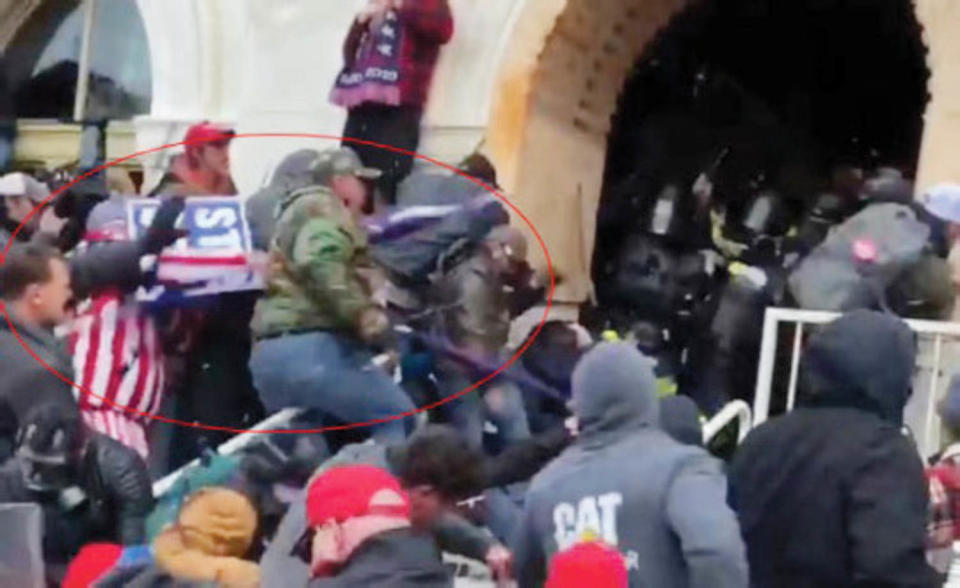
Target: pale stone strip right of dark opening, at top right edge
(939, 160)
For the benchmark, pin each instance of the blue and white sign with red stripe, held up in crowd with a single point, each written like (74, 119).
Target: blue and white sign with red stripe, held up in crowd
(213, 258)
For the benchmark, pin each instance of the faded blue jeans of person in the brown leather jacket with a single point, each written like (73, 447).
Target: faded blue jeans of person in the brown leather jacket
(499, 400)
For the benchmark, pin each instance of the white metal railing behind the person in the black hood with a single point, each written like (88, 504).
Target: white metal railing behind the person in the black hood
(938, 331)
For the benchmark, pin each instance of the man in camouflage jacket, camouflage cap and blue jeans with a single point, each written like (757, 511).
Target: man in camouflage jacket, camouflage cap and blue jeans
(317, 321)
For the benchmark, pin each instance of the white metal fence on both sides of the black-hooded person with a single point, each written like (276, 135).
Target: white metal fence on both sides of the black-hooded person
(938, 357)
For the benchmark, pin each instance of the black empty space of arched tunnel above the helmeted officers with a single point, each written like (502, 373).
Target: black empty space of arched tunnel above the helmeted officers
(766, 94)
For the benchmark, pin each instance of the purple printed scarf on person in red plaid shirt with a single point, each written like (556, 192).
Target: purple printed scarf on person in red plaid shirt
(375, 73)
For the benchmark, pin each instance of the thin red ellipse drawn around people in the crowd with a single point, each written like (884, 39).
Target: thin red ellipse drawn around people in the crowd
(157, 417)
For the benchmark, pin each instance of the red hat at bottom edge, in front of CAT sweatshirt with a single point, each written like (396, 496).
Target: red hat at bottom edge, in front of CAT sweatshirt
(592, 563)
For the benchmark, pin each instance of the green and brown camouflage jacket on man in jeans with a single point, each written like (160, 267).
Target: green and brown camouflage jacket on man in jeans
(316, 258)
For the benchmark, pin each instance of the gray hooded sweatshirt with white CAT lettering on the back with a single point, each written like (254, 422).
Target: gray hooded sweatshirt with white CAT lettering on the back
(626, 482)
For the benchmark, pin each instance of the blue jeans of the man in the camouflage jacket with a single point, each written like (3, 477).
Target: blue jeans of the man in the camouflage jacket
(332, 374)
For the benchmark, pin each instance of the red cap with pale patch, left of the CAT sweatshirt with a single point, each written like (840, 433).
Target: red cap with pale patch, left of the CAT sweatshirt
(348, 492)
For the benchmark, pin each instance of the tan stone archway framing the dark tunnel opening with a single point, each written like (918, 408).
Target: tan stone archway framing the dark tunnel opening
(558, 86)
